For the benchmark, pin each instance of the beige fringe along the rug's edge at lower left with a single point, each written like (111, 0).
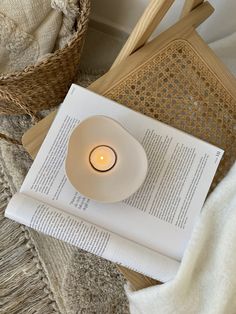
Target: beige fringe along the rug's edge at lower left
(24, 287)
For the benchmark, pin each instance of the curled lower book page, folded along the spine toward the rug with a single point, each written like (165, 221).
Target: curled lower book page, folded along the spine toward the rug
(89, 237)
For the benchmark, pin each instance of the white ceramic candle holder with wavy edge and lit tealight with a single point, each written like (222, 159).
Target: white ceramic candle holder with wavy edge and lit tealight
(104, 161)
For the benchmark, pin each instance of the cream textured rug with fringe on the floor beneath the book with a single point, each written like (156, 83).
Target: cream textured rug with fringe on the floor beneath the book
(39, 274)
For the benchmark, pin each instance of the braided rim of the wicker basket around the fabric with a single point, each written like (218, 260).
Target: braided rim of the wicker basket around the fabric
(82, 15)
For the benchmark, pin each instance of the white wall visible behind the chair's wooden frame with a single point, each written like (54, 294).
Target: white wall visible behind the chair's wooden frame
(123, 14)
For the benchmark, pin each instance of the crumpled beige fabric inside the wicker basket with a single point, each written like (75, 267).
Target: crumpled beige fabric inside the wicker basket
(31, 29)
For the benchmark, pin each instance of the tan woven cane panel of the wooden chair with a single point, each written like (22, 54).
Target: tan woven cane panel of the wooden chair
(178, 88)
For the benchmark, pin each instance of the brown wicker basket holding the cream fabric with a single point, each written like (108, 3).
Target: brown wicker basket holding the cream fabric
(44, 85)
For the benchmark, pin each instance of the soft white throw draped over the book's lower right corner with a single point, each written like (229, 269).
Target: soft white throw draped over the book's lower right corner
(206, 281)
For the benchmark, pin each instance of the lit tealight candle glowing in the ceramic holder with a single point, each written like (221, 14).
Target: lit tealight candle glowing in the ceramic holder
(102, 158)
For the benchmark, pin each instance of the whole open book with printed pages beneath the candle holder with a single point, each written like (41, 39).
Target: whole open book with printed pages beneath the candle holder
(149, 231)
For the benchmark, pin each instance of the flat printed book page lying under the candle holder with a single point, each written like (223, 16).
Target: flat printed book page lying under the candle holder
(161, 214)
